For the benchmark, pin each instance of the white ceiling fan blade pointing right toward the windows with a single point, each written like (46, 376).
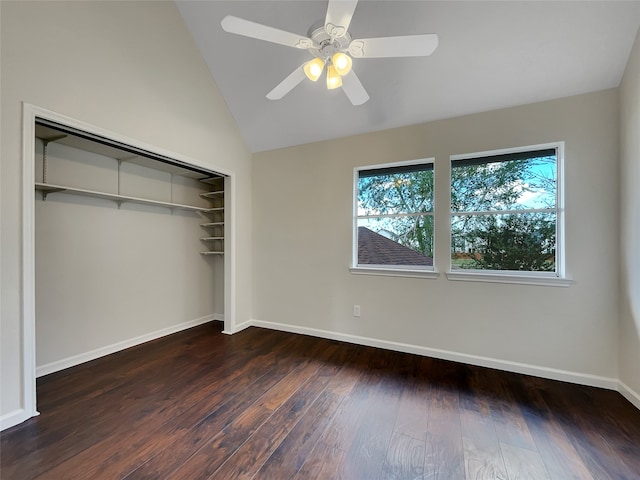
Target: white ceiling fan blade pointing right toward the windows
(406, 46)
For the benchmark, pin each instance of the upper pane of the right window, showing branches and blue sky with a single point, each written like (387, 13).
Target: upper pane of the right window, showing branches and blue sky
(526, 183)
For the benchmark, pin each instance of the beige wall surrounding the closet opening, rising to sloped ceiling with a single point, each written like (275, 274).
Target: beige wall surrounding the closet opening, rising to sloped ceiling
(127, 67)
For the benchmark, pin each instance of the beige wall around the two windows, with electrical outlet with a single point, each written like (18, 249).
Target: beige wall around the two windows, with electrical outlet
(302, 244)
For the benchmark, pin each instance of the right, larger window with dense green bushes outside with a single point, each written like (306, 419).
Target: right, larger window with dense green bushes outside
(506, 212)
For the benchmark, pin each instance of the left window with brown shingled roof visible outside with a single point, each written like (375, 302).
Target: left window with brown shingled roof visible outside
(393, 221)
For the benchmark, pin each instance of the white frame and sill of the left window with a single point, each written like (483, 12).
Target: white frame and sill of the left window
(411, 271)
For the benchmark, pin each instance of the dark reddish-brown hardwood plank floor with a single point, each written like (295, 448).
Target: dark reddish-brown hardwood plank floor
(270, 405)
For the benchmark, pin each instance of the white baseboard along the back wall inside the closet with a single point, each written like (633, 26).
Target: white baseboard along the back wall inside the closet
(116, 347)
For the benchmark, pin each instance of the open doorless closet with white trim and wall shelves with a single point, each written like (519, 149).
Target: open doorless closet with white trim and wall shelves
(128, 243)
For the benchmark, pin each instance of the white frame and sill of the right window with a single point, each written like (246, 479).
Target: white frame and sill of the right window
(557, 278)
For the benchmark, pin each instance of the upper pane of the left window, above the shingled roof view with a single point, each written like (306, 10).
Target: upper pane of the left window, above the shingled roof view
(393, 193)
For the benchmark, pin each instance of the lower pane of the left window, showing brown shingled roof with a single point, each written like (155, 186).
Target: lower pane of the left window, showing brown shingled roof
(396, 241)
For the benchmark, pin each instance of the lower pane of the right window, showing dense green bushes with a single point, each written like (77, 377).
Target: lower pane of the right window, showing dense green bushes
(518, 242)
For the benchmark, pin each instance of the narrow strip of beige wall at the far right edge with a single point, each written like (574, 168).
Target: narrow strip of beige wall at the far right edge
(630, 221)
